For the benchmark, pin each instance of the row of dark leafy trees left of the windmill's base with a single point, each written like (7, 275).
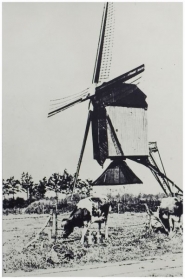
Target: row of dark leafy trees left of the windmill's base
(35, 191)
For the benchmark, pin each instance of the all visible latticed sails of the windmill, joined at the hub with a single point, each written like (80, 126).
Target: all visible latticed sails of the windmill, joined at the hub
(101, 69)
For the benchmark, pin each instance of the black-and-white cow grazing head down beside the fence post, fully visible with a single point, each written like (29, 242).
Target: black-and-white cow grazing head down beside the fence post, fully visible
(87, 211)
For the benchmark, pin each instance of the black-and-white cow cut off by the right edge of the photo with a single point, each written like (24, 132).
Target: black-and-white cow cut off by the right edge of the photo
(171, 212)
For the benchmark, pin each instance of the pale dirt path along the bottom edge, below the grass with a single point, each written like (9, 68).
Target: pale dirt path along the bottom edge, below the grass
(163, 266)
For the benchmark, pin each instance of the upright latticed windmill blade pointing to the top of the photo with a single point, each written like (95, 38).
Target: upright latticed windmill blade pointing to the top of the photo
(104, 51)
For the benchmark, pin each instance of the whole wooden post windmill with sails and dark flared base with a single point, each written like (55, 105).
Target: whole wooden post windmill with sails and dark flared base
(119, 115)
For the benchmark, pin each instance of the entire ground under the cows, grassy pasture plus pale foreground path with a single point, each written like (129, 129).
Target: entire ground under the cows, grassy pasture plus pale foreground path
(128, 241)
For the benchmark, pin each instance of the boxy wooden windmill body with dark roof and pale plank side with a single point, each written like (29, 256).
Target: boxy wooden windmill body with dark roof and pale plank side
(120, 115)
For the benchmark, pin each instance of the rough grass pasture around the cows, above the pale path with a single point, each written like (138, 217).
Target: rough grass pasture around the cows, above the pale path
(128, 240)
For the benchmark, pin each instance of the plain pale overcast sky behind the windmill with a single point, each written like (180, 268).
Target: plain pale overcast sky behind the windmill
(49, 52)
